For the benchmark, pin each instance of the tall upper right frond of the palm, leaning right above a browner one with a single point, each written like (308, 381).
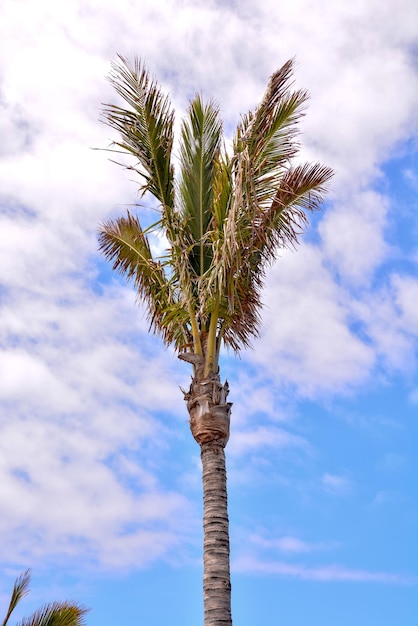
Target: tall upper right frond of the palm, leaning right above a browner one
(263, 148)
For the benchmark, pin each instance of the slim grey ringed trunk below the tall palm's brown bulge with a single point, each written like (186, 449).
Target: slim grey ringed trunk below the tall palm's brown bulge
(216, 575)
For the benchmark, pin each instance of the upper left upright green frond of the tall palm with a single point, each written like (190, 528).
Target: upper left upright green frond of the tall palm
(146, 128)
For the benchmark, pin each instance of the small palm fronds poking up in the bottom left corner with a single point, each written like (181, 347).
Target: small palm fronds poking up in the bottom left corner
(54, 614)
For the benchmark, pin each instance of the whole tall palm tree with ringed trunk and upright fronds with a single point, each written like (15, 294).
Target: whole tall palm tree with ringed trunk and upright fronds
(225, 214)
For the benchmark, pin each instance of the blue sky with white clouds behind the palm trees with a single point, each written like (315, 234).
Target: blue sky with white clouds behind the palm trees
(100, 487)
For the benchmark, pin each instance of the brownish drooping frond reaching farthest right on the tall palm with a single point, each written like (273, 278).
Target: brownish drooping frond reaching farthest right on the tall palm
(299, 189)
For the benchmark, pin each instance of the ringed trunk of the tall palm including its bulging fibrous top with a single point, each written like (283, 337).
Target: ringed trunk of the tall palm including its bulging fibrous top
(209, 422)
